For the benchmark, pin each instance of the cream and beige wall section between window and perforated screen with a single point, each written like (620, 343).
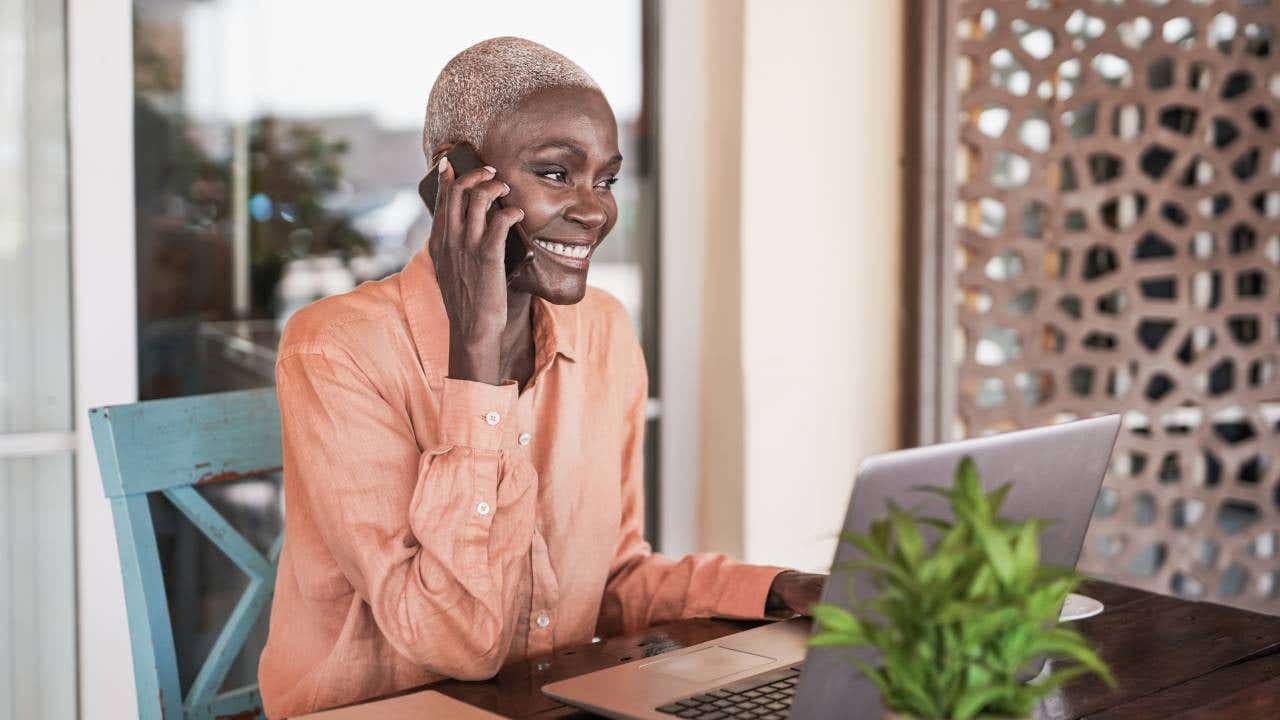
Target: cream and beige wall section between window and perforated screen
(803, 270)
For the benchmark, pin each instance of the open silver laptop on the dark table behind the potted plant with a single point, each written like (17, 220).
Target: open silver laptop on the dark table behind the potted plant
(1057, 475)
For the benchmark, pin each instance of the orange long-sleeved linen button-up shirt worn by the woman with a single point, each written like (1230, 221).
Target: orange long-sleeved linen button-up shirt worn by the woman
(437, 528)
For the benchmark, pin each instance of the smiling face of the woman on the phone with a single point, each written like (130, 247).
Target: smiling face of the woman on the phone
(559, 152)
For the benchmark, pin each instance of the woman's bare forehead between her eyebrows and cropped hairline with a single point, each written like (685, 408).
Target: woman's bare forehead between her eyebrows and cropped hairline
(548, 117)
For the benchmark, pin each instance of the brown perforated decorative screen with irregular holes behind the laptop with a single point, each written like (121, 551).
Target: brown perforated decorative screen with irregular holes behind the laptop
(1117, 248)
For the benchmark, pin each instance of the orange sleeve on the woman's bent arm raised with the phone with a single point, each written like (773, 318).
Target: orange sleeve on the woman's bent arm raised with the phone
(422, 536)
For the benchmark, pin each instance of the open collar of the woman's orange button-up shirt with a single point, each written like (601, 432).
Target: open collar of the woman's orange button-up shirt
(556, 327)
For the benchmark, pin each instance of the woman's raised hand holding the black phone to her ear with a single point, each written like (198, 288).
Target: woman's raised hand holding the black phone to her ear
(468, 245)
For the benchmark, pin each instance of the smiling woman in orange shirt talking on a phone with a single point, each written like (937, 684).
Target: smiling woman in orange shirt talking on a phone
(463, 455)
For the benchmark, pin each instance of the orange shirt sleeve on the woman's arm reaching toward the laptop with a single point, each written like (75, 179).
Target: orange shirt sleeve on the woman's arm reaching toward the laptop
(647, 589)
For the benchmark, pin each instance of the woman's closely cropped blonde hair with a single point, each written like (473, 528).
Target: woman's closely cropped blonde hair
(487, 81)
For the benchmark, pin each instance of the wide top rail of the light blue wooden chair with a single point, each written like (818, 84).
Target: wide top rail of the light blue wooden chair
(184, 441)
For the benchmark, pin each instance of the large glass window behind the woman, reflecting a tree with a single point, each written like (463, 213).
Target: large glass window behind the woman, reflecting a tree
(277, 156)
